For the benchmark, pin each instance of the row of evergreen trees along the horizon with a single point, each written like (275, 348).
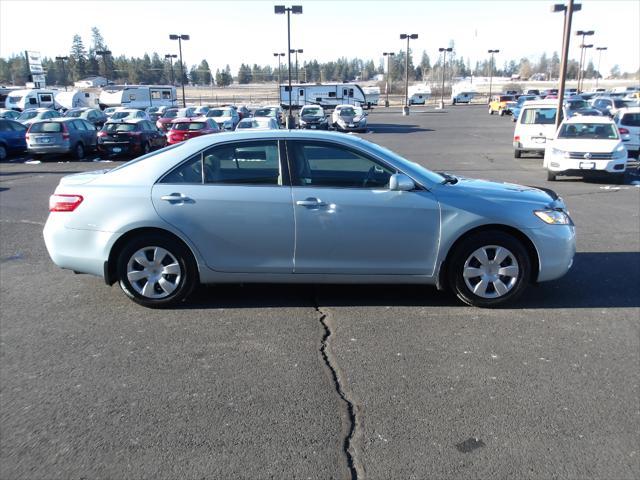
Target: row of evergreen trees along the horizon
(155, 69)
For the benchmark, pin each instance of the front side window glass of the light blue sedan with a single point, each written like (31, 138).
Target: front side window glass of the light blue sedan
(319, 164)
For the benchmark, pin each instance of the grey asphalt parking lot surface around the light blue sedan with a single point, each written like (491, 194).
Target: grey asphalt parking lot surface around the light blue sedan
(291, 381)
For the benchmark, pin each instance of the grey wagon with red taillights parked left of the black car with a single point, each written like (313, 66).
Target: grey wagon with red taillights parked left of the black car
(61, 135)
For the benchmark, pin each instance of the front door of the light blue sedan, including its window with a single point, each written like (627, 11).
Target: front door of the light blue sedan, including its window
(349, 222)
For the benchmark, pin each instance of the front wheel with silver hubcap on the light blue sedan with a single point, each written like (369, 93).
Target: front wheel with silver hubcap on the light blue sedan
(496, 283)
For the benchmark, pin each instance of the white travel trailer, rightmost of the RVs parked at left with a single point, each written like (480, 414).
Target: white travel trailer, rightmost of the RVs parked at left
(138, 96)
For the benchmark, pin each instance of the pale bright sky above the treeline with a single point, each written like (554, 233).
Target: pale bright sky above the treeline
(234, 32)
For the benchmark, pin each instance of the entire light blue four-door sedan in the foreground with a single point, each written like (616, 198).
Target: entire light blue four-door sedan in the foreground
(307, 207)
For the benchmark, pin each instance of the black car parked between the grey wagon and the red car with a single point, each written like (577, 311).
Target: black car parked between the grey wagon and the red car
(130, 138)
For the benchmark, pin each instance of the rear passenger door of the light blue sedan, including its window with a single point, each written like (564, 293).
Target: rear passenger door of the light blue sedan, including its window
(231, 201)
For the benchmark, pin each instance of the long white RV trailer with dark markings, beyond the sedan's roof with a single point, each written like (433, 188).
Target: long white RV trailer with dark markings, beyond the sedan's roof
(327, 95)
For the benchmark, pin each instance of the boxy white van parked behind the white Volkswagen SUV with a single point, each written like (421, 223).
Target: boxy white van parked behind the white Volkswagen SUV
(535, 126)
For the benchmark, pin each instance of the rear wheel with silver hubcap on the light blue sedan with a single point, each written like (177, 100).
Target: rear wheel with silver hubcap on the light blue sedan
(153, 286)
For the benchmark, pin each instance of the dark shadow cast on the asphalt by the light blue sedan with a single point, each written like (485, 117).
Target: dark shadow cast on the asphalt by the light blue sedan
(596, 280)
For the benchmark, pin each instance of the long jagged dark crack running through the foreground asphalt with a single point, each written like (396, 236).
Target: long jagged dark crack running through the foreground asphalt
(355, 468)
